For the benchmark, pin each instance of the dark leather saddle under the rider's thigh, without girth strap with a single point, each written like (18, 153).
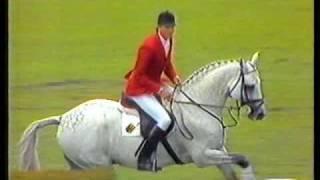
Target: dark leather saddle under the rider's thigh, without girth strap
(146, 121)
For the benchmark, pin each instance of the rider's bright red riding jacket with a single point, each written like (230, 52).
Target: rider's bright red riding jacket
(145, 77)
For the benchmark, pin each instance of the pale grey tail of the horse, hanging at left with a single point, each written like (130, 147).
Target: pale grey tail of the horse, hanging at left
(29, 159)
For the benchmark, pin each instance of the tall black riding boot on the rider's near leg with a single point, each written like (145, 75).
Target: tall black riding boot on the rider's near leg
(145, 160)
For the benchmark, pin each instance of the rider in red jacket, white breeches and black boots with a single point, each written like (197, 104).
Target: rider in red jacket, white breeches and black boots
(145, 80)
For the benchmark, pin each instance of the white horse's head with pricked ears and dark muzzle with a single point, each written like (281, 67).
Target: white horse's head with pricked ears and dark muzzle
(247, 88)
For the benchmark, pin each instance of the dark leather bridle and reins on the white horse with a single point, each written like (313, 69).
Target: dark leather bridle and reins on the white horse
(244, 100)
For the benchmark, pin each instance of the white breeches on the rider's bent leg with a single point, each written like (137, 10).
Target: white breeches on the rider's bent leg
(153, 108)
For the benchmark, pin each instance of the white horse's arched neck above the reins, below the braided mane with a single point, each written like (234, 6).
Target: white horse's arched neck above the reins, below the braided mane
(212, 88)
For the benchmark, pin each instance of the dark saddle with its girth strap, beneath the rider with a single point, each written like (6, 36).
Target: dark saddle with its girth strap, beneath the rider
(147, 123)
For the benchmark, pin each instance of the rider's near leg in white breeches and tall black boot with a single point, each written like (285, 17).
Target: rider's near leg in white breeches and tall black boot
(154, 109)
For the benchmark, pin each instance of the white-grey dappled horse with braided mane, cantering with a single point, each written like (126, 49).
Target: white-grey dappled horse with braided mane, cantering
(90, 134)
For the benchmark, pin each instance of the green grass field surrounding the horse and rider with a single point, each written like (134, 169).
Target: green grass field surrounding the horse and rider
(90, 45)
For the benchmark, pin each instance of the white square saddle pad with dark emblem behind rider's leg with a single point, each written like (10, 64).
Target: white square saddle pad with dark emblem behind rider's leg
(130, 124)
